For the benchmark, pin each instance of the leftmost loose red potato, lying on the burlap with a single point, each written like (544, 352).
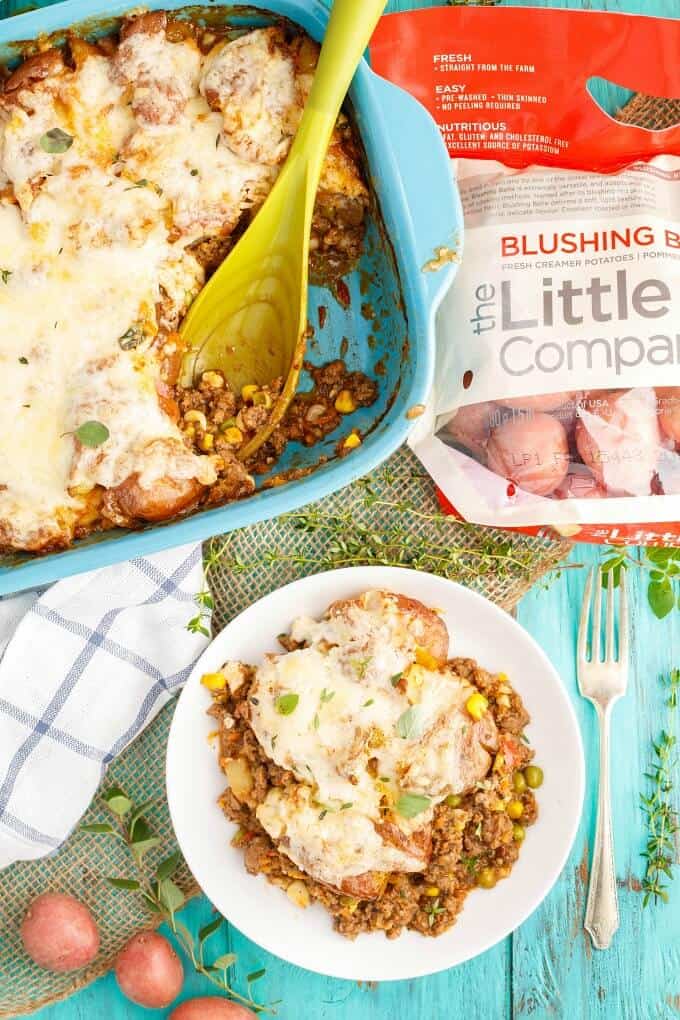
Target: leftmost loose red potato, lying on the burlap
(60, 934)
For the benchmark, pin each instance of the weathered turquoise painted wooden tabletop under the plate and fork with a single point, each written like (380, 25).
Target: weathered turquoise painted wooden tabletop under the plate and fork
(547, 970)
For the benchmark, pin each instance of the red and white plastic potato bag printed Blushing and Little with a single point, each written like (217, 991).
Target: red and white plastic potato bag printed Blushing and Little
(557, 400)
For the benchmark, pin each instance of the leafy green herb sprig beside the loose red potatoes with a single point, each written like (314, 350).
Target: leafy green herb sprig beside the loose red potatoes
(163, 896)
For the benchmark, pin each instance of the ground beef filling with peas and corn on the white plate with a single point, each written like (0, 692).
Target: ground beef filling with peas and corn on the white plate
(475, 841)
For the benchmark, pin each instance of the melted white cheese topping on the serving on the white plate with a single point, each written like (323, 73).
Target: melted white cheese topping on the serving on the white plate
(352, 709)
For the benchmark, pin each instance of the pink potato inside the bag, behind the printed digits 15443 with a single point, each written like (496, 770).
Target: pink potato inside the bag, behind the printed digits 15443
(619, 439)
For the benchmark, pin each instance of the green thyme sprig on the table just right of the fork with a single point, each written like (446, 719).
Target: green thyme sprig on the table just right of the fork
(660, 814)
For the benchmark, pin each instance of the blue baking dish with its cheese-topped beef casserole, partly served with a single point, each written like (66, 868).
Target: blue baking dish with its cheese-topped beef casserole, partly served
(133, 156)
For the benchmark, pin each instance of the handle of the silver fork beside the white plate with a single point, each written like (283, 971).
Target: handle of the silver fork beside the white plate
(602, 912)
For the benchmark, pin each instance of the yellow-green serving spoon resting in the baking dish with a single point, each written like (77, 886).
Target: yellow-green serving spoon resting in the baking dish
(251, 320)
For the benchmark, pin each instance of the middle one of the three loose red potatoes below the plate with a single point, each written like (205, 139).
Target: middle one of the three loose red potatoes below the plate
(148, 971)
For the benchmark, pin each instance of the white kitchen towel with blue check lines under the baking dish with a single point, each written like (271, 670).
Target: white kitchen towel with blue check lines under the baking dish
(86, 666)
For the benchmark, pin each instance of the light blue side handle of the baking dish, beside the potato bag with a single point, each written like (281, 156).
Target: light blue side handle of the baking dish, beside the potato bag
(430, 188)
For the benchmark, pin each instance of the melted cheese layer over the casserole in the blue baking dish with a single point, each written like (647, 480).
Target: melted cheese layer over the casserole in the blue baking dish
(94, 241)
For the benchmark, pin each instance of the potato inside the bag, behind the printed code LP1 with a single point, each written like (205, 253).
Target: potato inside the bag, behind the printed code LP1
(533, 452)
